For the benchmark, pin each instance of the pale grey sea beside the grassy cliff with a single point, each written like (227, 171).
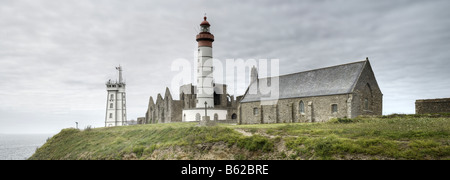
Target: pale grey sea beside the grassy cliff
(20, 146)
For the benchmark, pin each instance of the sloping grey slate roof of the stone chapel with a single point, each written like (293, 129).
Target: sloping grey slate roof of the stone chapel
(319, 82)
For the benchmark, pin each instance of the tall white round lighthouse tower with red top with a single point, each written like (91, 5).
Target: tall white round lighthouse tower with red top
(205, 79)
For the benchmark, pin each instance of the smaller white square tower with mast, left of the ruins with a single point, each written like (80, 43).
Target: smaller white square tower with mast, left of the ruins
(116, 102)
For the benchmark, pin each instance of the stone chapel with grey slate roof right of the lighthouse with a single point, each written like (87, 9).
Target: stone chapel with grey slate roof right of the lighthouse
(347, 90)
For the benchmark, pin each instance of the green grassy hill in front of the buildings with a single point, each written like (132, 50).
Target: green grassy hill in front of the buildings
(386, 137)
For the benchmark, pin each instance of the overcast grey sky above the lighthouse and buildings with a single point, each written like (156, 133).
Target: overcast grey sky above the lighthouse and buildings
(55, 56)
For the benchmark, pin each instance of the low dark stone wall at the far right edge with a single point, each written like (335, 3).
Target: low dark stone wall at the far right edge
(430, 106)
